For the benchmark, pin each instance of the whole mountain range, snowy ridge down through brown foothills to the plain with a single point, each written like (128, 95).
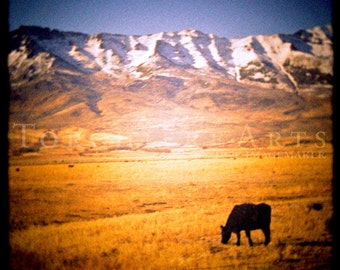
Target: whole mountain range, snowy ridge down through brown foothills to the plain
(169, 90)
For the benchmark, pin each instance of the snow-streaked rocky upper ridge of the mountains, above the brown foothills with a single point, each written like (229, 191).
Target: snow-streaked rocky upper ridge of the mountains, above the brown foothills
(290, 61)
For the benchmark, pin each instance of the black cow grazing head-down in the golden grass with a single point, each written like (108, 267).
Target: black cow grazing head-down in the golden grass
(247, 217)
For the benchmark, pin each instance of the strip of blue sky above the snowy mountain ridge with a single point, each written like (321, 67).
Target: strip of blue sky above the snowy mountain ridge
(226, 18)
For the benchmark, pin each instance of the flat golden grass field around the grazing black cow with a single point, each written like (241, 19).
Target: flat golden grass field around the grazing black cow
(166, 213)
